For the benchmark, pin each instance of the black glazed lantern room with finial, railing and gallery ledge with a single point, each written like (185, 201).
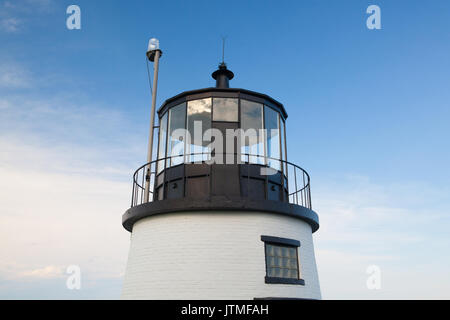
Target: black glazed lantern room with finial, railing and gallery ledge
(222, 148)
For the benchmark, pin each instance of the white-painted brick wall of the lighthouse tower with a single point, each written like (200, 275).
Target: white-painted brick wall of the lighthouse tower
(213, 255)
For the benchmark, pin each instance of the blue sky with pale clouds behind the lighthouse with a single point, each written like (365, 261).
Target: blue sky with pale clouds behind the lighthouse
(368, 119)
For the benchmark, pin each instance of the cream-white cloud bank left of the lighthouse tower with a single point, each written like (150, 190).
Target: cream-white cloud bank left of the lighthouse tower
(57, 219)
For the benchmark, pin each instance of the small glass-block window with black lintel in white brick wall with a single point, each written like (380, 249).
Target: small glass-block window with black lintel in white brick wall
(282, 260)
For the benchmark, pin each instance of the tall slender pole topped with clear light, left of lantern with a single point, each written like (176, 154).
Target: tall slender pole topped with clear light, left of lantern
(153, 54)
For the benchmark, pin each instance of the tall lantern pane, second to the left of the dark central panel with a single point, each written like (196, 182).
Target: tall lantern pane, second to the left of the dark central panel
(175, 145)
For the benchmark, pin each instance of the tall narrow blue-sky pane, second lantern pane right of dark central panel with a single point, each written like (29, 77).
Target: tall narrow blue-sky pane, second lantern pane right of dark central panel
(273, 137)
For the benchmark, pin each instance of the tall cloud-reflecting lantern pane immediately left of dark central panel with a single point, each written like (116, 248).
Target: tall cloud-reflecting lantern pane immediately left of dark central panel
(198, 121)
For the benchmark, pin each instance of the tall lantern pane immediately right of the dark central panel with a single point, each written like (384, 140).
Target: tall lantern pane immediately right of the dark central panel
(252, 123)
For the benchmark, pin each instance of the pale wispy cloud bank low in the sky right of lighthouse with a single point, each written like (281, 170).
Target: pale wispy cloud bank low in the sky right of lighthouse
(394, 226)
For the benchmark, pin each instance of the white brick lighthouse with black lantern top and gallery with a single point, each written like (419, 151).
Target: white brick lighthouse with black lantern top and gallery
(225, 215)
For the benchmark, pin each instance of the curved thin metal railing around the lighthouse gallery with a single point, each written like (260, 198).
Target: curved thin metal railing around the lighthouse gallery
(294, 182)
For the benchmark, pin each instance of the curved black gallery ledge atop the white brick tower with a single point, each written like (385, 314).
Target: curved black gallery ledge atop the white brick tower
(213, 203)
